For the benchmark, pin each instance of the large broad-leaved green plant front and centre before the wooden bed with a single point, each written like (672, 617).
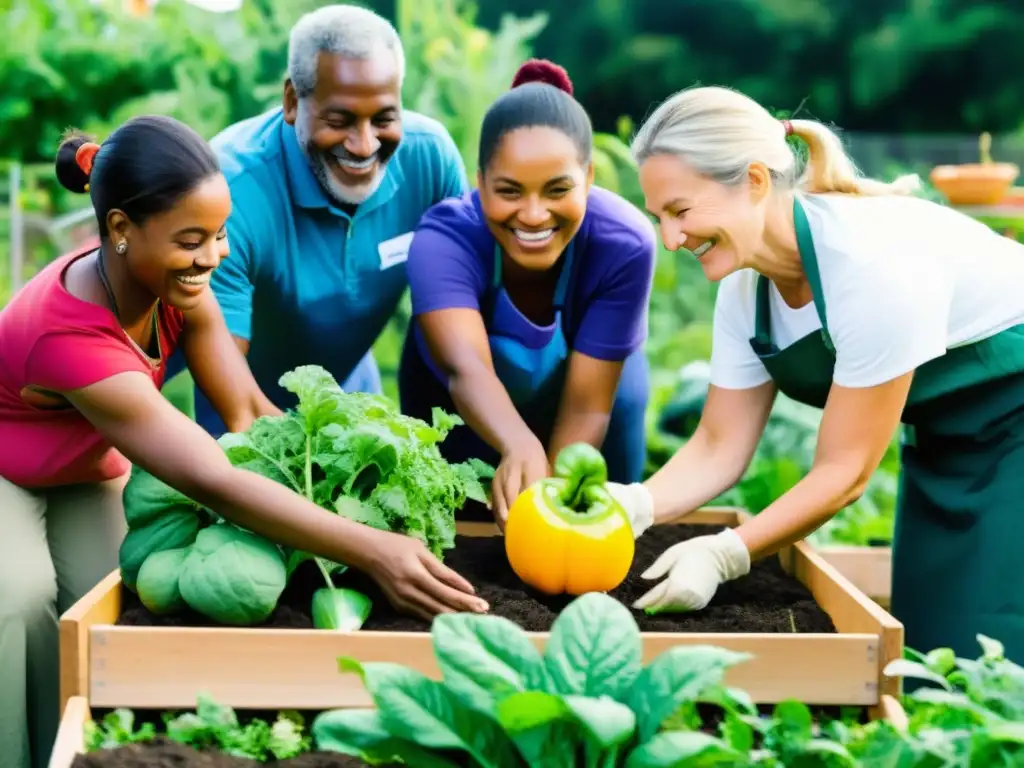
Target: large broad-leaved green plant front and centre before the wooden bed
(503, 703)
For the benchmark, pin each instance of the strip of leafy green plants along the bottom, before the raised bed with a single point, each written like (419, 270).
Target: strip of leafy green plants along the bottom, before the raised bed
(587, 702)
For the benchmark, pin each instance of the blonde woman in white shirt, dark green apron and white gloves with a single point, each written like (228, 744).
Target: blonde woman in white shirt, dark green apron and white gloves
(878, 307)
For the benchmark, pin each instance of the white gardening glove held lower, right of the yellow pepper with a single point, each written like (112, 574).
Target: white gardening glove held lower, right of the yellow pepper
(696, 570)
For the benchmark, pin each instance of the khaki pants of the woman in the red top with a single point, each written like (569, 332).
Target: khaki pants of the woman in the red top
(56, 545)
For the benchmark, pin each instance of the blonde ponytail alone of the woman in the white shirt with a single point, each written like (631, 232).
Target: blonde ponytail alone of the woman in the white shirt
(830, 169)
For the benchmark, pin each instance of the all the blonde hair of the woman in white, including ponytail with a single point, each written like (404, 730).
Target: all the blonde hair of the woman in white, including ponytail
(721, 133)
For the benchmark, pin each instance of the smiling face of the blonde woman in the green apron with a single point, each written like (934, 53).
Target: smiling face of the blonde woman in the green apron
(722, 226)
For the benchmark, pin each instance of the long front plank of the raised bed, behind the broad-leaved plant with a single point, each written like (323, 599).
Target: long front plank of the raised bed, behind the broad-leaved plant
(169, 667)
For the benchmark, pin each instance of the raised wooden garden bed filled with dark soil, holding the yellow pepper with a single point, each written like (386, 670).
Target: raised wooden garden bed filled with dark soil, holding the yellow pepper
(816, 637)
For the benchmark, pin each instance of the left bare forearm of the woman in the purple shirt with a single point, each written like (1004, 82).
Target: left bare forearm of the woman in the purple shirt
(486, 407)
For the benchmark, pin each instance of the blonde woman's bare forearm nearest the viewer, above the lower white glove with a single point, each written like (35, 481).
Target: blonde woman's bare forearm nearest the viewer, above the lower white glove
(796, 515)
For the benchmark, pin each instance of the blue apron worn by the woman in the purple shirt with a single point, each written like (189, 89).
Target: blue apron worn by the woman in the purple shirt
(531, 362)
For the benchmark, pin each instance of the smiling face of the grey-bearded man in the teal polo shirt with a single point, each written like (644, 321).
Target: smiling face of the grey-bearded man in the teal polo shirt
(351, 126)
